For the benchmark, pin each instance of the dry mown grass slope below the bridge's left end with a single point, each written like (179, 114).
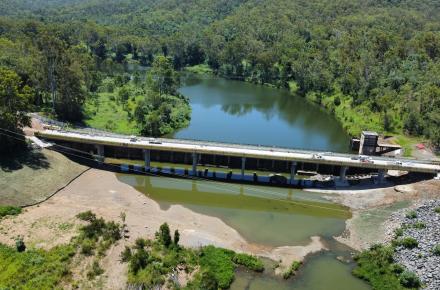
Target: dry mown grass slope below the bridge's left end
(31, 176)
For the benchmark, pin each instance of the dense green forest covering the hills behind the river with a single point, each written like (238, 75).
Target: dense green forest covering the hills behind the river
(375, 64)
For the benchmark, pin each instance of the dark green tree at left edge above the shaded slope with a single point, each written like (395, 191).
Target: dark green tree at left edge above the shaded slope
(15, 101)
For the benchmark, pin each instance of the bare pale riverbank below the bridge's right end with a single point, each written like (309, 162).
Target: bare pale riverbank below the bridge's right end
(372, 209)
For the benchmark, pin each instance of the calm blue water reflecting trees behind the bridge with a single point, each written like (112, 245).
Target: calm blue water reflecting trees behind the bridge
(239, 112)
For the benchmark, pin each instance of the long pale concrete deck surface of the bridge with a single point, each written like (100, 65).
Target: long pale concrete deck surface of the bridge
(248, 151)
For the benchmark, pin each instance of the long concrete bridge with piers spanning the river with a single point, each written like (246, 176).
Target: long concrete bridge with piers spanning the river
(244, 157)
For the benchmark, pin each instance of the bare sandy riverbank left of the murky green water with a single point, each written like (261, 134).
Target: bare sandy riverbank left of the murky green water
(53, 222)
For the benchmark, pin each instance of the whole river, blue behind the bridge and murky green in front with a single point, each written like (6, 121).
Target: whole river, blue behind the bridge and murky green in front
(239, 112)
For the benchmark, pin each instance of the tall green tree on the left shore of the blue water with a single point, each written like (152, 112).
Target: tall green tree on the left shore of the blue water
(162, 78)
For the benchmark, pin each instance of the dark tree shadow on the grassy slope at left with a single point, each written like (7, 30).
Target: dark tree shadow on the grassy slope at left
(32, 158)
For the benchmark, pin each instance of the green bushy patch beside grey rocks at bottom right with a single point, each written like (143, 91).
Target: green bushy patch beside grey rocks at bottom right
(377, 267)
